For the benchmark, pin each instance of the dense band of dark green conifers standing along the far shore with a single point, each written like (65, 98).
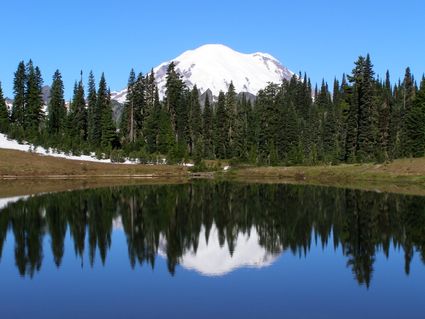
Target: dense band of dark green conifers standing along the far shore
(362, 119)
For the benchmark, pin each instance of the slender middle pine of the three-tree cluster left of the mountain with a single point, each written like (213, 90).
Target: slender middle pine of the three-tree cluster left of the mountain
(92, 116)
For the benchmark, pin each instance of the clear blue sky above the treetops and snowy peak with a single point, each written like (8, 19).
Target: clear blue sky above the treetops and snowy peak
(320, 37)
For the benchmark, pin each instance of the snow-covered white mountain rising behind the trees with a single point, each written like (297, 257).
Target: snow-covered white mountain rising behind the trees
(214, 66)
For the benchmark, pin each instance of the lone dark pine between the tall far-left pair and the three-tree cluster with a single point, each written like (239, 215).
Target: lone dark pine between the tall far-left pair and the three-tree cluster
(57, 111)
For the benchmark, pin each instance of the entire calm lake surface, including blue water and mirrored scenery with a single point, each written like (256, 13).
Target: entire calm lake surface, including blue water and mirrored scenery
(213, 249)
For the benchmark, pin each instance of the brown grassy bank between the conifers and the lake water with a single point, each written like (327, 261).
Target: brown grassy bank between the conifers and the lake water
(23, 173)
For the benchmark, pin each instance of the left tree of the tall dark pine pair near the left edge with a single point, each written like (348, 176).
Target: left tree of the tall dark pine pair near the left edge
(19, 82)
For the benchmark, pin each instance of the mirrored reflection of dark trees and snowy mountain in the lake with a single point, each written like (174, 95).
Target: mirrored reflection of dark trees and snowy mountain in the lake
(216, 227)
